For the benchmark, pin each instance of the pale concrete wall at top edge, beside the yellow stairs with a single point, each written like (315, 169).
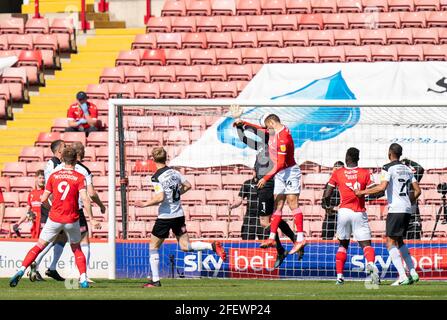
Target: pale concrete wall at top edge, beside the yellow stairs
(133, 11)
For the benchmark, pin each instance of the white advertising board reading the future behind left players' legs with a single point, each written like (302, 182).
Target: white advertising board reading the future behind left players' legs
(12, 253)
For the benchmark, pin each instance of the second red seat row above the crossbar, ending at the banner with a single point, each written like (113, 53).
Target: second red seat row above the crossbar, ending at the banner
(171, 73)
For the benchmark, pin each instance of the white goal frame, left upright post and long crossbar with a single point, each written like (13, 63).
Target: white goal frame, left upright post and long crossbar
(113, 104)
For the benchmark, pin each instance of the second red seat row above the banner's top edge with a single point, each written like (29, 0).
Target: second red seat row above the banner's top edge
(259, 39)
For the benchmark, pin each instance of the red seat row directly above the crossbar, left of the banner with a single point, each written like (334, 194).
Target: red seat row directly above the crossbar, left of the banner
(167, 90)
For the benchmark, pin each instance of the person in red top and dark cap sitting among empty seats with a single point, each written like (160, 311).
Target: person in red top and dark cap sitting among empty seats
(82, 115)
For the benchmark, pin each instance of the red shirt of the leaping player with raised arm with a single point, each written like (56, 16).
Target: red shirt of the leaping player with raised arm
(281, 150)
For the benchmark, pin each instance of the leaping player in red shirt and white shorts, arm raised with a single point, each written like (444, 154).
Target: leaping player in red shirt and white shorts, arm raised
(287, 177)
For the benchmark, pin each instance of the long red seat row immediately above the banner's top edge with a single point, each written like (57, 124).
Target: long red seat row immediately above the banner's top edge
(298, 53)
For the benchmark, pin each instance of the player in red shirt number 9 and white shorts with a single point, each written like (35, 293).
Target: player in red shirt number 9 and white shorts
(66, 186)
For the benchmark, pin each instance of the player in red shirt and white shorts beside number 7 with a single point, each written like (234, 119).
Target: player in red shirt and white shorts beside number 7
(352, 217)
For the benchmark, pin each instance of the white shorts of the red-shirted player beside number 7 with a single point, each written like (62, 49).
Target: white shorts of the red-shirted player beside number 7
(350, 222)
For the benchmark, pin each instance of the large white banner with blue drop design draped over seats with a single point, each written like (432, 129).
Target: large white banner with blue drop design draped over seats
(322, 135)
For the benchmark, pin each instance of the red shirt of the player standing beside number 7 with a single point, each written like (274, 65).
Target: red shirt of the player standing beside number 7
(348, 179)
